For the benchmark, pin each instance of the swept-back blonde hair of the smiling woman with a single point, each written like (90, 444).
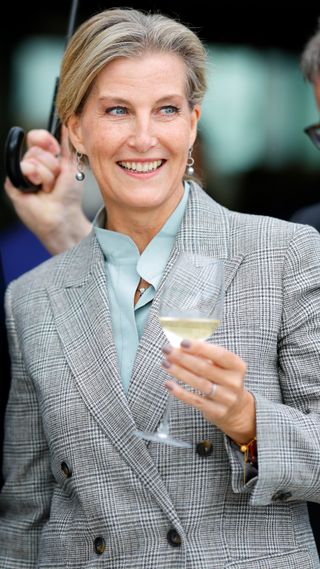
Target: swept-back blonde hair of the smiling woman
(125, 33)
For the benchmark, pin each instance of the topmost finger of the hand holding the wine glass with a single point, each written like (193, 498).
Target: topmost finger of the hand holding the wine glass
(218, 354)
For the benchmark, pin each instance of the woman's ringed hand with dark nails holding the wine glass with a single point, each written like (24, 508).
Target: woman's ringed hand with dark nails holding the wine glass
(217, 375)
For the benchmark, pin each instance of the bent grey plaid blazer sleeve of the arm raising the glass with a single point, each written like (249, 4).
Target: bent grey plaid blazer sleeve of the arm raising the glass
(288, 432)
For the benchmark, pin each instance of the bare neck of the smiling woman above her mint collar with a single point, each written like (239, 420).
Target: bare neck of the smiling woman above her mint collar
(141, 226)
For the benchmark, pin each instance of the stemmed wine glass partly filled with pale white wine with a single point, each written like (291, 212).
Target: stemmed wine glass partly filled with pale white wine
(191, 307)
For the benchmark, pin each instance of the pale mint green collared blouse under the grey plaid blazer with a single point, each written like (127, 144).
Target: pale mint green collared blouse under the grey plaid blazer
(124, 267)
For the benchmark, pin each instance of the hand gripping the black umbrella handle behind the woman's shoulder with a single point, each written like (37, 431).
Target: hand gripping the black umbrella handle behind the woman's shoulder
(54, 213)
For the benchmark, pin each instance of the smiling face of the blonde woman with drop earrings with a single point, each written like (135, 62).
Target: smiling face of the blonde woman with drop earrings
(136, 129)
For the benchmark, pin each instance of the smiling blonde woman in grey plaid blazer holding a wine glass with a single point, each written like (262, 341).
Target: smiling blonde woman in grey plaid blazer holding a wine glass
(81, 489)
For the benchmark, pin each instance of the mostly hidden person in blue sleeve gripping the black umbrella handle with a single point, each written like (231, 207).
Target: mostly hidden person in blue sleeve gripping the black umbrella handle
(54, 215)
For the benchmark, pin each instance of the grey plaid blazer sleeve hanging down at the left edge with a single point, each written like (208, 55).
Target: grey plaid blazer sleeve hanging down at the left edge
(26, 494)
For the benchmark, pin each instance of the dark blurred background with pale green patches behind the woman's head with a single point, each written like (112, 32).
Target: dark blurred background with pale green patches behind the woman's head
(252, 154)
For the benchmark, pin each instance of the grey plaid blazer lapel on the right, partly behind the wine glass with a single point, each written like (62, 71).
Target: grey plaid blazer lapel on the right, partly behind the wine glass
(204, 230)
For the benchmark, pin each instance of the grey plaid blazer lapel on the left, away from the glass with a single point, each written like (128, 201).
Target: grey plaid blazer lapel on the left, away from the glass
(82, 316)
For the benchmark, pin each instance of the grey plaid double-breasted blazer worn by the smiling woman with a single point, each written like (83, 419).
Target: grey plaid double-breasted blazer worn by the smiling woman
(82, 492)
